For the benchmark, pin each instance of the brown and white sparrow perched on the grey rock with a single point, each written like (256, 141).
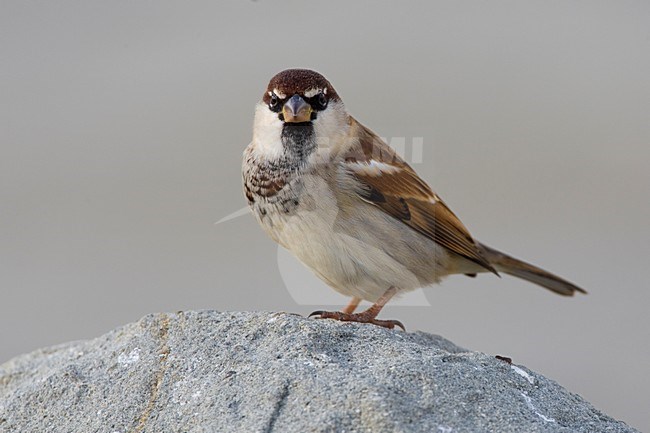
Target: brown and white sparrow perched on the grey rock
(344, 203)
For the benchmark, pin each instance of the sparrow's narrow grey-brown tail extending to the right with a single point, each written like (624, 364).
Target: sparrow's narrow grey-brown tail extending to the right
(517, 268)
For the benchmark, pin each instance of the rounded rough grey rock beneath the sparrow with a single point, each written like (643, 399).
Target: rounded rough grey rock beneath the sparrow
(276, 372)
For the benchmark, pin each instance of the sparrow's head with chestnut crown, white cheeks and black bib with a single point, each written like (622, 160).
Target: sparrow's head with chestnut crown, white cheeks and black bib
(299, 112)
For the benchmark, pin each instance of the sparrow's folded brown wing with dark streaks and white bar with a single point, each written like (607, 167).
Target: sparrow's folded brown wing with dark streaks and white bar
(389, 183)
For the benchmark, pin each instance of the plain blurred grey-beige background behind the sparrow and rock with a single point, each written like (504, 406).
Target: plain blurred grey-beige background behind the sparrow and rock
(123, 123)
